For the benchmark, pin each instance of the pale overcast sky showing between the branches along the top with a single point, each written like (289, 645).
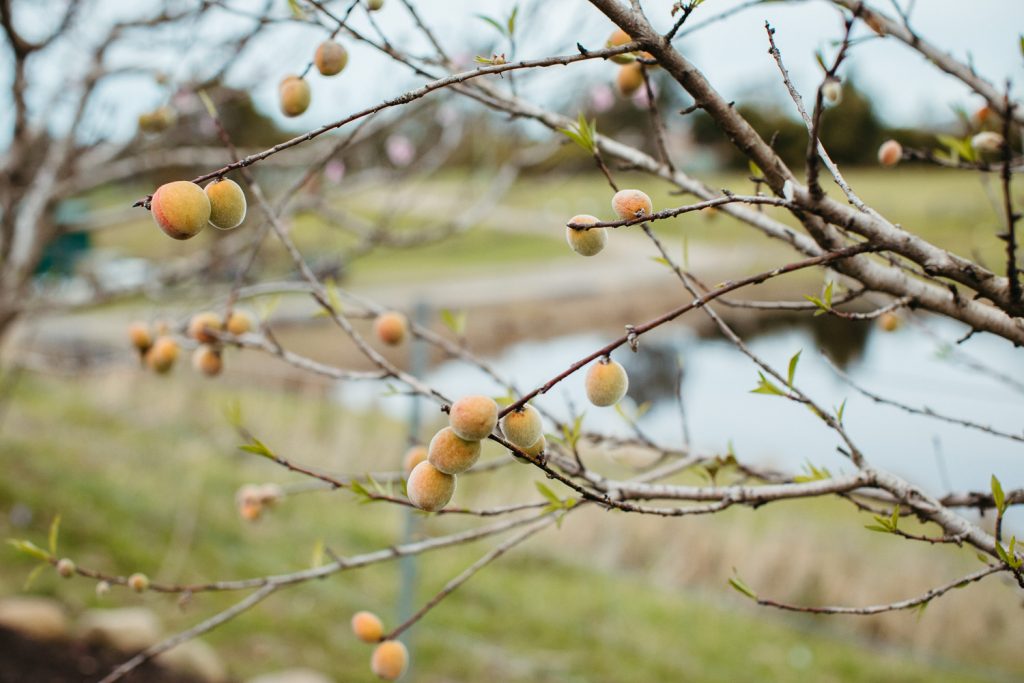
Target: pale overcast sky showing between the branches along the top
(733, 54)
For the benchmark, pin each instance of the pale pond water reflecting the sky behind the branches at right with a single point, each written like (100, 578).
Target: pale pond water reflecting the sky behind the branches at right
(909, 366)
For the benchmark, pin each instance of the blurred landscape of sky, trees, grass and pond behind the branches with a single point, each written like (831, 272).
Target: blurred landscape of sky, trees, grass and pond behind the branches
(455, 215)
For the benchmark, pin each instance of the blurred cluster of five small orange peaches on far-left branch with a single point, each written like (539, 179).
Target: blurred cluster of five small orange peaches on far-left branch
(159, 350)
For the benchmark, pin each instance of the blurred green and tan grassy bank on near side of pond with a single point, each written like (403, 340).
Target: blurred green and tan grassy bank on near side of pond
(144, 472)
